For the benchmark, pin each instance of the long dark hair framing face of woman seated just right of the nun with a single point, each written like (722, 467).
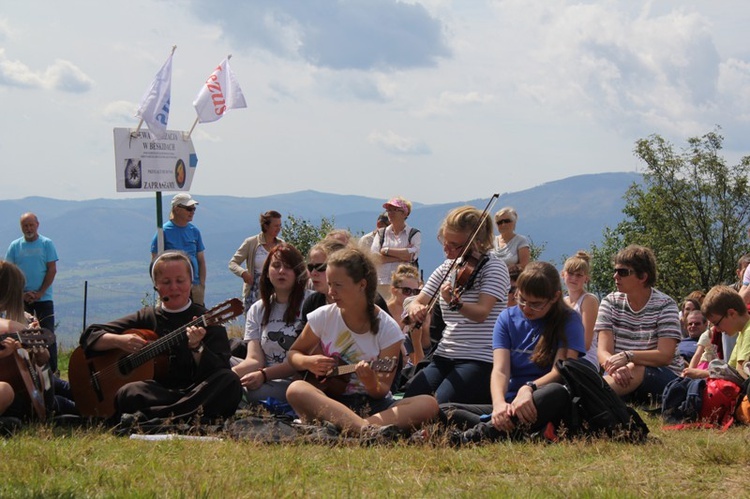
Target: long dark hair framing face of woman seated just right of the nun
(290, 256)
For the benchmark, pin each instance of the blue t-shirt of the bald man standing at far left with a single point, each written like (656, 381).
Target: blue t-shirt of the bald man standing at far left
(32, 258)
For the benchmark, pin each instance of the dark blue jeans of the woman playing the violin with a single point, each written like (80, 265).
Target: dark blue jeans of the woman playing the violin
(462, 381)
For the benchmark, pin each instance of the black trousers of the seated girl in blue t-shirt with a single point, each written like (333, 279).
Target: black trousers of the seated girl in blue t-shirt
(552, 401)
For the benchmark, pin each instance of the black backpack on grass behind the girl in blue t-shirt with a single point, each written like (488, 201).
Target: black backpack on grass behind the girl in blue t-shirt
(597, 409)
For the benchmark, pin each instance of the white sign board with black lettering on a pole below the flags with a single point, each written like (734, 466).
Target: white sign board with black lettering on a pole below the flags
(143, 163)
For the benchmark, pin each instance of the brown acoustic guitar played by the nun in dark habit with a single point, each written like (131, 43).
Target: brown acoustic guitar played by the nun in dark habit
(96, 379)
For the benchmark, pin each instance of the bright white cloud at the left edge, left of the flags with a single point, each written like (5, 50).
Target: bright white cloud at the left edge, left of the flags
(61, 75)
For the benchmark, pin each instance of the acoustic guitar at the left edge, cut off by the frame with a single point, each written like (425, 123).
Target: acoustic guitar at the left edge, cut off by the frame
(29, 381)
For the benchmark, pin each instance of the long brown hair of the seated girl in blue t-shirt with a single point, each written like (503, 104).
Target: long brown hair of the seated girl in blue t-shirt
(541, 280)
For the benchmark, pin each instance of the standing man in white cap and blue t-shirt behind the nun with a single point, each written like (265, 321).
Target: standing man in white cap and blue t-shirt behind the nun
(181, 234)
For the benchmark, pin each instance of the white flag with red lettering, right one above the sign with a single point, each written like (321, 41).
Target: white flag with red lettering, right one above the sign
(219, 94)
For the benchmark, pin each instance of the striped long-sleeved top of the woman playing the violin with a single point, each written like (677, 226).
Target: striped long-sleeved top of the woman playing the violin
(462, 338)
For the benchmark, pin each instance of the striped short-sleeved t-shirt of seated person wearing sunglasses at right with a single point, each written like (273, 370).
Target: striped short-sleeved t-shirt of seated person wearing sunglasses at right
(641, 330)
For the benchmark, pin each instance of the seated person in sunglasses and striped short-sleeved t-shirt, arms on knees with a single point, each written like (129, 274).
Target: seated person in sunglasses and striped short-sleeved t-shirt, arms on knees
(638, 329)
